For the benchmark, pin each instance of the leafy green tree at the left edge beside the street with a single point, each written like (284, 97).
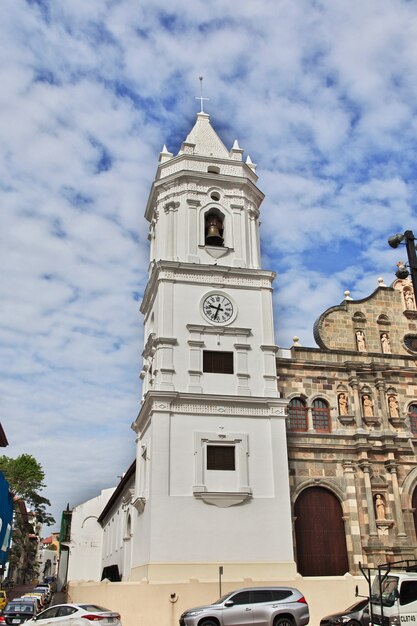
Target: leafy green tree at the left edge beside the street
(26, 478)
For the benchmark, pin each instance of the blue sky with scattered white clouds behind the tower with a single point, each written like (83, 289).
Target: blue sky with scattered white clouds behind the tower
(322, 95)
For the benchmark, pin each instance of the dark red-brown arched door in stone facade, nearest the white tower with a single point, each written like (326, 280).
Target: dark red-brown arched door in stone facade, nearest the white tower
(320, 534)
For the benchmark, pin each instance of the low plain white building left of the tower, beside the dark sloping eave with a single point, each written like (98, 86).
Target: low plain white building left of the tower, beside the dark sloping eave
(85, 547)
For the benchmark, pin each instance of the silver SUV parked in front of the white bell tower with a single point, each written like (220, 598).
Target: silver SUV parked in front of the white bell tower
(264, 606)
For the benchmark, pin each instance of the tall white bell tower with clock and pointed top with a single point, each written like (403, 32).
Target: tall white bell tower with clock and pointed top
(212, 475)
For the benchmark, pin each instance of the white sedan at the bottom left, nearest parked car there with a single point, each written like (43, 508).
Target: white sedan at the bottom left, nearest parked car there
(76, 615)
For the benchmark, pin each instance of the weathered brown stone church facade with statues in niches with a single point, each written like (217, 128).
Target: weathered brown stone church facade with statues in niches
(351, 429)
